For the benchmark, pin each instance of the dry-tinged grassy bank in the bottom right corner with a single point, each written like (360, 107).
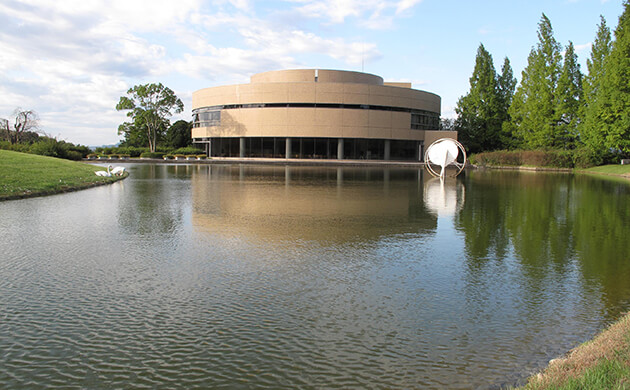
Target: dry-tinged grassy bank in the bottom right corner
(602, 363)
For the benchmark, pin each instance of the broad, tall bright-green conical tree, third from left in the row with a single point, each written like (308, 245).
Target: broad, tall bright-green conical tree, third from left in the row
(533, 111)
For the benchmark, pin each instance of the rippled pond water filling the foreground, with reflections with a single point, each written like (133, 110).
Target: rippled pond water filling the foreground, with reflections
(274, 277)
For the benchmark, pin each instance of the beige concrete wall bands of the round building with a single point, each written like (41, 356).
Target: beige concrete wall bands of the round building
(298, 86)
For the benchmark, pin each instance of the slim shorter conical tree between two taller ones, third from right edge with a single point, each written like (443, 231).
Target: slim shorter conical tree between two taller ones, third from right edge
(569, 100)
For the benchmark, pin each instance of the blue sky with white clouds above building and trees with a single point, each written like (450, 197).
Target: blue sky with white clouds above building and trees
(72, 60)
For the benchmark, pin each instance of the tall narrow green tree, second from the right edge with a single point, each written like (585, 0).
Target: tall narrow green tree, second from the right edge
(590, 130)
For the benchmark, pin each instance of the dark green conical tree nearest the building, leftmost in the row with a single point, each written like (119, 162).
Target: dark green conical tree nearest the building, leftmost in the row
(479, 120)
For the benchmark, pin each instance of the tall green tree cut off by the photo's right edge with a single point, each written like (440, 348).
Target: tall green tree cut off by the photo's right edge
(615, 88)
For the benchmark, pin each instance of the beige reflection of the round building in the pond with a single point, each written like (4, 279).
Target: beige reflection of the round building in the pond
(286, 203)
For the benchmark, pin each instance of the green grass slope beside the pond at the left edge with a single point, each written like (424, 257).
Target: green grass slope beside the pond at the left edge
(24, 175)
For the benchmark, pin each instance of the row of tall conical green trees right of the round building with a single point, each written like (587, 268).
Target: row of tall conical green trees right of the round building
(555, 106)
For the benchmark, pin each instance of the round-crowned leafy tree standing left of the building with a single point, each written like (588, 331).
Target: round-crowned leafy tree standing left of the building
(149, 107)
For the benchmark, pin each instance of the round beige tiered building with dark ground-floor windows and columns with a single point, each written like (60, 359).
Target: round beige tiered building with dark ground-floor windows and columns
(315, 113)
